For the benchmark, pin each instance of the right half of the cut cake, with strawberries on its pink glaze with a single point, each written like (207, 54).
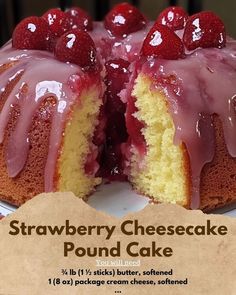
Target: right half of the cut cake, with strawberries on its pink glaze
(181, 117)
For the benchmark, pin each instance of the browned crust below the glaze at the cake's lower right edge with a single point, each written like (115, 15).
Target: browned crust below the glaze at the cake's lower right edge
(218, 178)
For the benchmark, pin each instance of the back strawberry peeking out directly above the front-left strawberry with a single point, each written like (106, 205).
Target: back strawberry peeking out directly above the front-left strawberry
(79, 19)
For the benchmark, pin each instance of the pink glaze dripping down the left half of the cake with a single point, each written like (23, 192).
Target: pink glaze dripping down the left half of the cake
(44, 77)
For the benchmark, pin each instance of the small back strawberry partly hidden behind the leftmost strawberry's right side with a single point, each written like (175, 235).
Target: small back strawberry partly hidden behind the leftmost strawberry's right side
(58, 21)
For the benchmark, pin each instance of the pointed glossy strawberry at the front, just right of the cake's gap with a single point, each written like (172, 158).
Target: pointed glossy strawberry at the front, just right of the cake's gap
(162, 42)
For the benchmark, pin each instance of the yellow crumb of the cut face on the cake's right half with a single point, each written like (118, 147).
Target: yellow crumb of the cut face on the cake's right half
(161, 172)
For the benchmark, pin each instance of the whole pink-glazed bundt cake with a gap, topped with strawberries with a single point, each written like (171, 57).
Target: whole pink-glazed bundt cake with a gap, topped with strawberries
(124, 99)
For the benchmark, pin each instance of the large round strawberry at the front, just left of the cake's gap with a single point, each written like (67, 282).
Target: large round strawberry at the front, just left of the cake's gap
(76, 46)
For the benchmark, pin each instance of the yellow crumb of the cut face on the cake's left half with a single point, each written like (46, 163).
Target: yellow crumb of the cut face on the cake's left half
(78, 146)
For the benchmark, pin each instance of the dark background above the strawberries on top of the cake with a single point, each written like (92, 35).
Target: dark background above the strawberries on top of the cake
(12, 11)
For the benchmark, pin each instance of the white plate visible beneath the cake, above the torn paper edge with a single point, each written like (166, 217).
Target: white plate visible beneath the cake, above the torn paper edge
(117, 199)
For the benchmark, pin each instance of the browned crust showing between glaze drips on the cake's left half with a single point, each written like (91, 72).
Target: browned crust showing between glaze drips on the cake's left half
(30, 181)
